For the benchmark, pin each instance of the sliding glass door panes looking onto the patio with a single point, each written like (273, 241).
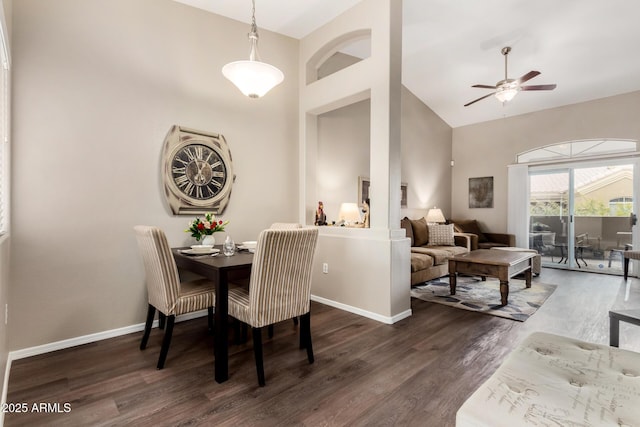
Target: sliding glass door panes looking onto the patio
(580, 214)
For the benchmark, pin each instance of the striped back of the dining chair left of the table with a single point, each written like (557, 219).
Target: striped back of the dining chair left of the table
(163, 282)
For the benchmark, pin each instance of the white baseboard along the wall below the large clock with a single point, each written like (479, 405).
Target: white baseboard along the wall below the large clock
(86, 339)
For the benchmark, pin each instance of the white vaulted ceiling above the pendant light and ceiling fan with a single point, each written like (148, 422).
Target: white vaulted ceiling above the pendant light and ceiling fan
(589, 48)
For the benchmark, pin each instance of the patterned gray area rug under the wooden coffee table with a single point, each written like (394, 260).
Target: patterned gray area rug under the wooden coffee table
(484, 297)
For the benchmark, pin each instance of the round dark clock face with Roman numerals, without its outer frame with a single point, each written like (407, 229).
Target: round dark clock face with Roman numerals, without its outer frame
(198, 172)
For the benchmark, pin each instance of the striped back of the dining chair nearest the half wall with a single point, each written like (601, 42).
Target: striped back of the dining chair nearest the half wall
(280, 284)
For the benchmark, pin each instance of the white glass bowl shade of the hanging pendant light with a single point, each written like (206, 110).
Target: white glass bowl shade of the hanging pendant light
(253, 78)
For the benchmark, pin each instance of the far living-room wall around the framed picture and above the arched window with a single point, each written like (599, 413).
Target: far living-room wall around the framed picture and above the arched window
(485, 149)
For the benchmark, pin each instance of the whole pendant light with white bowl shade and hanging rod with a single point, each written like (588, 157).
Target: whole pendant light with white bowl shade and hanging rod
(253, 77)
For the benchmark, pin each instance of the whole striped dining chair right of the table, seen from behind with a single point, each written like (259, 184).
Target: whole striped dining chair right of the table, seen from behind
(279, 287)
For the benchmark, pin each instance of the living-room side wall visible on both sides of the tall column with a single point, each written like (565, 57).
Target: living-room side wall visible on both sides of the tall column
(343, 155)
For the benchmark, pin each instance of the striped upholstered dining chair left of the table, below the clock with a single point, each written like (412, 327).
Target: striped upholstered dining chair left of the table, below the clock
(165, 291)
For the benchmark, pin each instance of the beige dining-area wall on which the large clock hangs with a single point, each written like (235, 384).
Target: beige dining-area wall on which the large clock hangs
(97, 84)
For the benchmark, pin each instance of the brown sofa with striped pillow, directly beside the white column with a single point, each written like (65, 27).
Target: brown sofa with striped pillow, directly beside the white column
(430, 258)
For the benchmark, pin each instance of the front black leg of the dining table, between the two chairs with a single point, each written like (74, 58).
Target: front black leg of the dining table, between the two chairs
(221, 350)
